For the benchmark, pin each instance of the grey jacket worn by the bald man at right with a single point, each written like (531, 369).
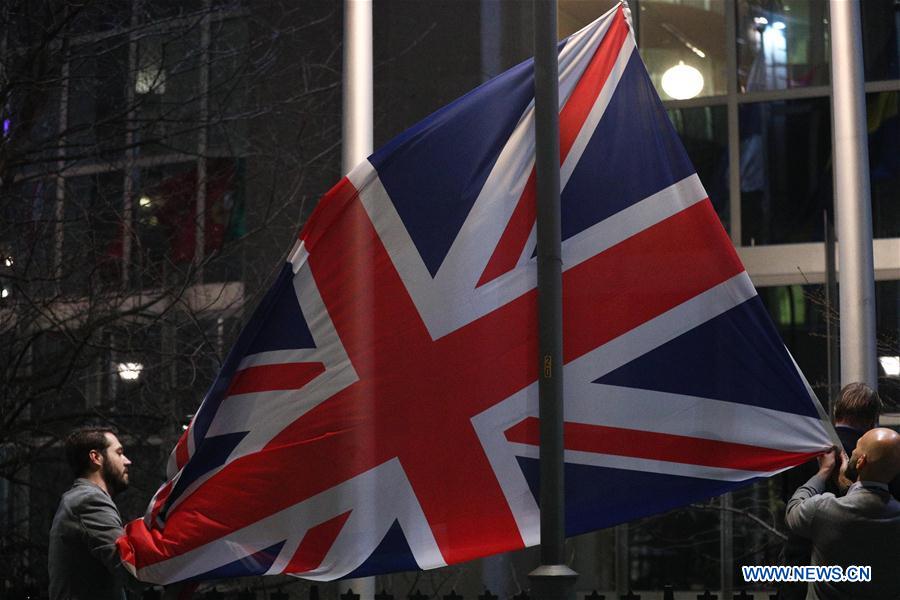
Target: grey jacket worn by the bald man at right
(860, 528)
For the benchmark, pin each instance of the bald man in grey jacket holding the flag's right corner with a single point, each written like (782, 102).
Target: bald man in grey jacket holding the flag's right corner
(861, 528)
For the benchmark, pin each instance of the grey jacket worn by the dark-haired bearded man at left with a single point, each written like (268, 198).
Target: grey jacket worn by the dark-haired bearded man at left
(83, 559)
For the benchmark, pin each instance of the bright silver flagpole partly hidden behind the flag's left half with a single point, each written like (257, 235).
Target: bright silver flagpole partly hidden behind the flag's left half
(357, 143)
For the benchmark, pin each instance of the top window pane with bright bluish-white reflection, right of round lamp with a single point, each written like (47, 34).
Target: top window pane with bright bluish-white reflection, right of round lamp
(782, 45)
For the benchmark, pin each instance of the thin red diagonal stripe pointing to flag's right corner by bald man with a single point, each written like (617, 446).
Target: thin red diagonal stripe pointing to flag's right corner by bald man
(667, 447)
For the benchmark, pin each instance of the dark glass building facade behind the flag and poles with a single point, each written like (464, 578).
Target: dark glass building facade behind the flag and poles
(169, 151)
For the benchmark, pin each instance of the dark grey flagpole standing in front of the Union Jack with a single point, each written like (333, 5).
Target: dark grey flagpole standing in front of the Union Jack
(553, 579)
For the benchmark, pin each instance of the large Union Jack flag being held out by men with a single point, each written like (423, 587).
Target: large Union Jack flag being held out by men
(379, 411)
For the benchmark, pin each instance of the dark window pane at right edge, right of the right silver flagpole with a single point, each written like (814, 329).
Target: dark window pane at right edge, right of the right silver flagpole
(883, 114)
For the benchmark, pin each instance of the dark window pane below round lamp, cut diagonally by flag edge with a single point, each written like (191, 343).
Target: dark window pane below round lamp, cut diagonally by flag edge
(704, 133)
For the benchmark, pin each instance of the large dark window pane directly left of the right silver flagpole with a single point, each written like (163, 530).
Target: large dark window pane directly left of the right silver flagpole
(785, 171)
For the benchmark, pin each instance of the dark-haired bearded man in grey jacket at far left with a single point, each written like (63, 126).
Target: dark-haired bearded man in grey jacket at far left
(83, 560)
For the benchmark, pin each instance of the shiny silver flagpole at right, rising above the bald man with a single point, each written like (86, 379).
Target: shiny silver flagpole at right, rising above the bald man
(852, 200)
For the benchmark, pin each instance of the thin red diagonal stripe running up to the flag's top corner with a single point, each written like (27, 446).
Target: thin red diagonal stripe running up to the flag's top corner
(571, 120)
